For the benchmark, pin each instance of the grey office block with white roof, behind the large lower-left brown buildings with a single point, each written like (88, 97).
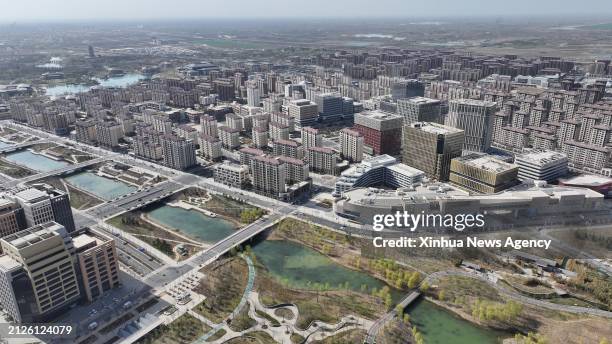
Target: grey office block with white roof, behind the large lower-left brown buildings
(43, 204)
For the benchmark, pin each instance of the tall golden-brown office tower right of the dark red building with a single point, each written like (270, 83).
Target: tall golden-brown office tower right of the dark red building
(430, 147)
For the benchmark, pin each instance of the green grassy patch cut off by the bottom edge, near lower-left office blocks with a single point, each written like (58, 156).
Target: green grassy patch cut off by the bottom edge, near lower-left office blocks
(185, 329)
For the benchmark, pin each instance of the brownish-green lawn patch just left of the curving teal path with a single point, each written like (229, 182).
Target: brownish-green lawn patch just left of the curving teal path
(223, 287)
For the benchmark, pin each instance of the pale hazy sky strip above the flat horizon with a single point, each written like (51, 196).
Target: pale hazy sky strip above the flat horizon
(36, 10)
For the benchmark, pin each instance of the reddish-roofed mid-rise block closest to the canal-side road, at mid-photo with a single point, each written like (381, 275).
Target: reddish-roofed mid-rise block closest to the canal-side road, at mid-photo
(268, 176)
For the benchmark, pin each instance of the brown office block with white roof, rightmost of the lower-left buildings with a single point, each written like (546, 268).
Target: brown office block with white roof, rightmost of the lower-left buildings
(98, 264)
